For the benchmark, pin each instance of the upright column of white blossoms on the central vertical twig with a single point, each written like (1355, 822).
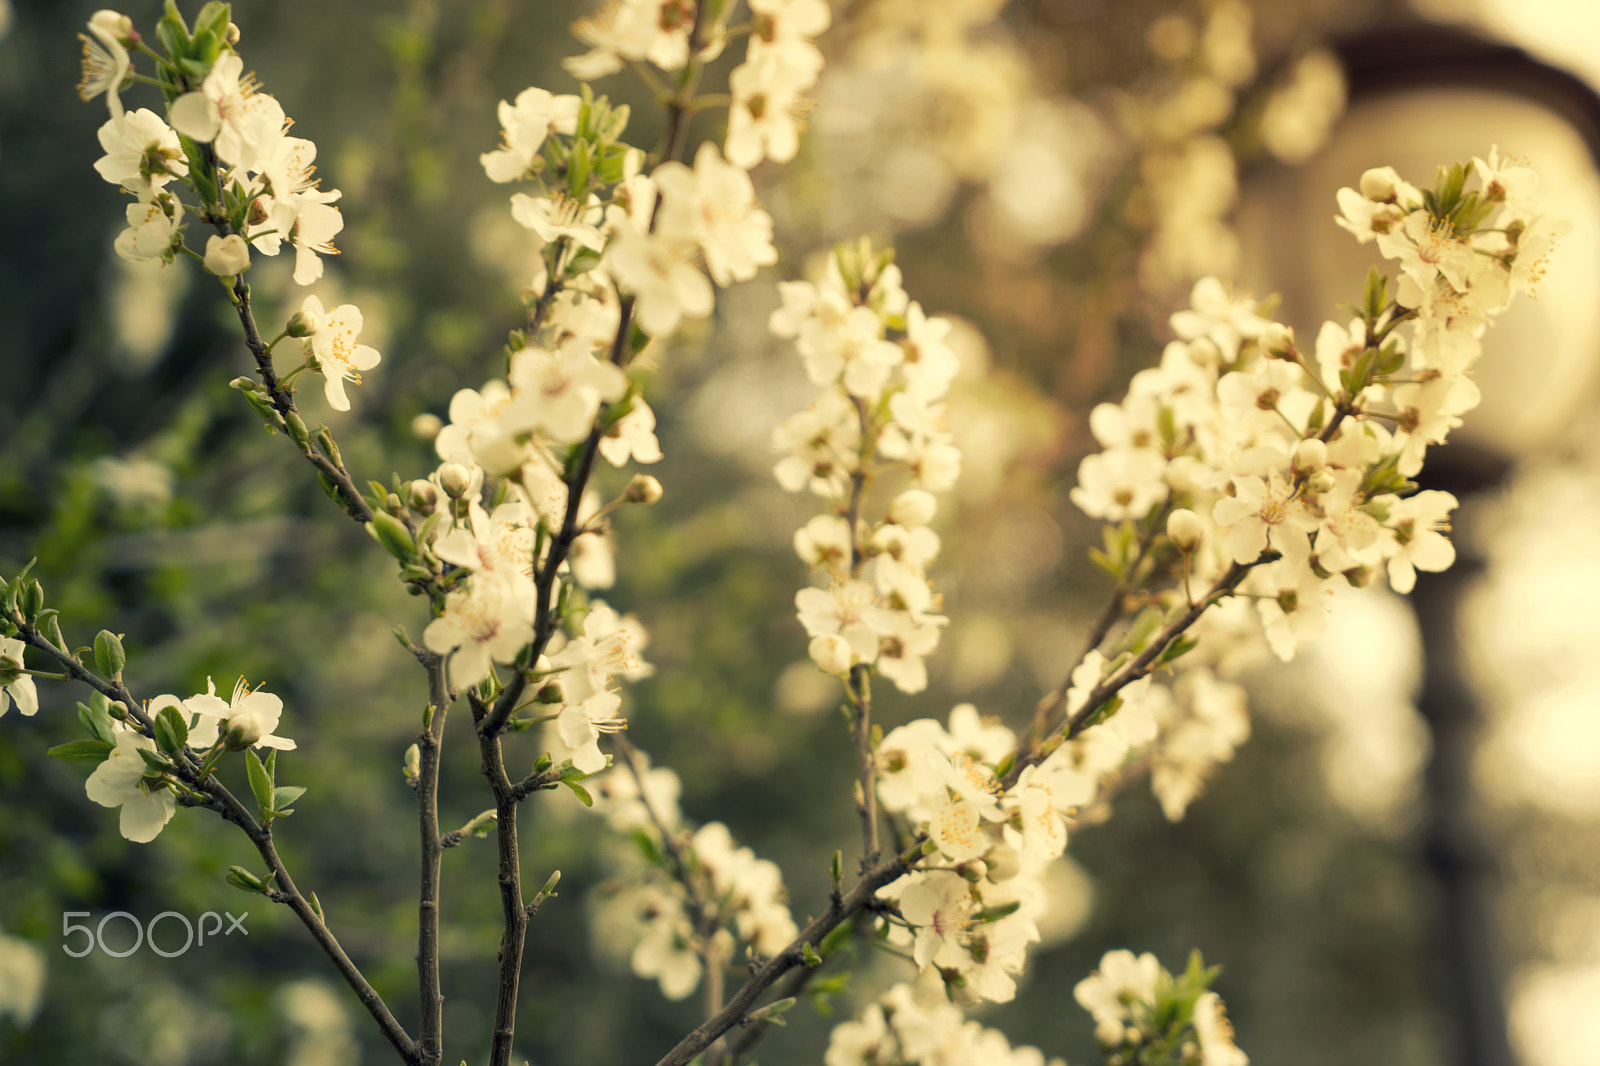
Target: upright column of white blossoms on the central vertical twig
(884, 369)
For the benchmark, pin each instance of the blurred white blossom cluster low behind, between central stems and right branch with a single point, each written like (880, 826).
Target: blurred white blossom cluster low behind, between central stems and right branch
(697, 902)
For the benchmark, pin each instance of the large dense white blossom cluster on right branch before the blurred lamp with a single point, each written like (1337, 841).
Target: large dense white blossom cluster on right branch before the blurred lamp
(1238, 452)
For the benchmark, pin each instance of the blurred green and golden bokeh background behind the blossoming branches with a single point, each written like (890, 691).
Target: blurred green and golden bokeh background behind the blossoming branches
(1404, 864)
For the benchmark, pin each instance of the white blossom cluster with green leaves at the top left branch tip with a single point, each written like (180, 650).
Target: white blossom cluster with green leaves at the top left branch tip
(252, 182)
